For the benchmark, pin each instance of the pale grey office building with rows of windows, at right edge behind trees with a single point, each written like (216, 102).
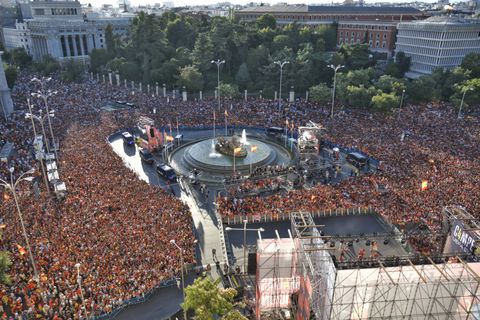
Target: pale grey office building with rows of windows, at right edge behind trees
(437, 42)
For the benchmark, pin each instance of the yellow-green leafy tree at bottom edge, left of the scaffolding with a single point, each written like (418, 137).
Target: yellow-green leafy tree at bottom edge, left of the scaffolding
(207, 299)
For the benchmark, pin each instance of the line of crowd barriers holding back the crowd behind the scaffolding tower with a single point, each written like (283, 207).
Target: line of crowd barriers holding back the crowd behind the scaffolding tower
(238, 219)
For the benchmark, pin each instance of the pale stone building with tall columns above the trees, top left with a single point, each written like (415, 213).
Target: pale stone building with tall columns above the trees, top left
(60, 29)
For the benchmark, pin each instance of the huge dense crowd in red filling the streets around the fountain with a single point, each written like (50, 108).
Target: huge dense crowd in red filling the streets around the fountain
(118, 228)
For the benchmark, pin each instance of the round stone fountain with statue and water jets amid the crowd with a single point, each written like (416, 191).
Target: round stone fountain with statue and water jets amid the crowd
(215, 158)
